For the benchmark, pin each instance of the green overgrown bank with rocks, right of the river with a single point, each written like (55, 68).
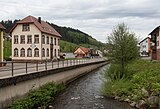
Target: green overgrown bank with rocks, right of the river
(141, 87)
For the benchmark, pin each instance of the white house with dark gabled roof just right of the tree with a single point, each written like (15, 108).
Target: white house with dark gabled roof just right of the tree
(144, 47)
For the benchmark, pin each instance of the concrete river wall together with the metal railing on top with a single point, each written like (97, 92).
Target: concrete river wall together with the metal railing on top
(16, 79)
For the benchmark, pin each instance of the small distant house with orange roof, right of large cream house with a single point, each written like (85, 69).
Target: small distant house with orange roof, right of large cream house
(82, 52)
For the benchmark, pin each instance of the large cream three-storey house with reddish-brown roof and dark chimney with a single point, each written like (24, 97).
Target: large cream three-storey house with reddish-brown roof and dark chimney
(34, 40)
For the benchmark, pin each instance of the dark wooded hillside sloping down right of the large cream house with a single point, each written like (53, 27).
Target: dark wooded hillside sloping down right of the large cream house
(76, 36)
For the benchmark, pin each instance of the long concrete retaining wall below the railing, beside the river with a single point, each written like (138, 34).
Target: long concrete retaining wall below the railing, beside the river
(20, 85)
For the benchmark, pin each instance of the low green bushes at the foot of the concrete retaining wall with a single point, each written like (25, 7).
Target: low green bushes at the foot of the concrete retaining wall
(39, 97)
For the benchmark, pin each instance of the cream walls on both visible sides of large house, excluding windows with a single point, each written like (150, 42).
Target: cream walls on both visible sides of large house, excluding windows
(33, 31)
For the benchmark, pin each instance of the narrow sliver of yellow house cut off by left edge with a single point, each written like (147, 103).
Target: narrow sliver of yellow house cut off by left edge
(2, 28)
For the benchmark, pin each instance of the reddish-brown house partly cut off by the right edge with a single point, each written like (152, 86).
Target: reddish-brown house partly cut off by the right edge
(155, 47)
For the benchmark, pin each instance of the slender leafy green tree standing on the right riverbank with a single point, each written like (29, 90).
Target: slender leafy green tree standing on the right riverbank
(123, 48)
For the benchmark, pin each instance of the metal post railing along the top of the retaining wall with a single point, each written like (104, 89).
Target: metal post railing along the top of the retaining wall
(20, 68)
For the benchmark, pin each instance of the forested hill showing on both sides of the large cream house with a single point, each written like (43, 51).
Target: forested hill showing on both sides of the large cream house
(71, 35)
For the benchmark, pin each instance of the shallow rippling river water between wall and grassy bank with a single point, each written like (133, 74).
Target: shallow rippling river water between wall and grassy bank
(85, 93)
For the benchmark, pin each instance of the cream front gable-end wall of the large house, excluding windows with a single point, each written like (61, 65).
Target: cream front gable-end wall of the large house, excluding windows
(33, 31)
